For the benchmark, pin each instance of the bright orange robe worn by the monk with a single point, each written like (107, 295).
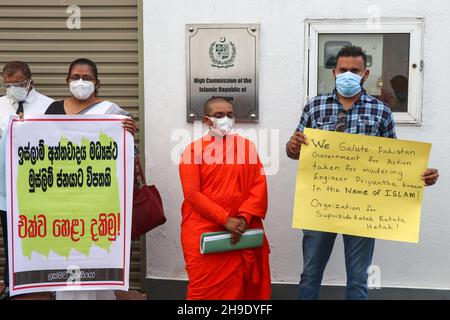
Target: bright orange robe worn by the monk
(223, 178)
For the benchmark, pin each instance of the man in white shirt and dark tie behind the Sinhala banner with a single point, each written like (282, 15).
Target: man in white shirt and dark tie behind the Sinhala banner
(20, 98)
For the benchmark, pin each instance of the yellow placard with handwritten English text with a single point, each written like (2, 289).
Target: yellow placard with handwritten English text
(360, 185)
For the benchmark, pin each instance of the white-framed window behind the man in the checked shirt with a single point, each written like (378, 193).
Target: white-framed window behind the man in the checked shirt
(393, 50)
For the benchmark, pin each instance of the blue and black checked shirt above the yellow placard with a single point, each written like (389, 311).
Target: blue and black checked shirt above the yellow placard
(368, 115)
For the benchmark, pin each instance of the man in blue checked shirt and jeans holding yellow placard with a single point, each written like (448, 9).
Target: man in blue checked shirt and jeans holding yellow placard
(347, 109)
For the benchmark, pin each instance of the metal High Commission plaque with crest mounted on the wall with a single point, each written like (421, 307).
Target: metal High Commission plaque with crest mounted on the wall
(222, 60)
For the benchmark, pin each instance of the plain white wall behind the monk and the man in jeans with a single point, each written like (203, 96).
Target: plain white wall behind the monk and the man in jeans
(281, 97)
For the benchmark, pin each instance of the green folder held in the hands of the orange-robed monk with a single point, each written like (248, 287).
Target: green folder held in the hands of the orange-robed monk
(212, 242)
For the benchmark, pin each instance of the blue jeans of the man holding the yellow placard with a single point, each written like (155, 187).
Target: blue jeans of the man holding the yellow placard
(317, 247)
